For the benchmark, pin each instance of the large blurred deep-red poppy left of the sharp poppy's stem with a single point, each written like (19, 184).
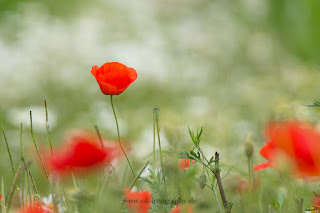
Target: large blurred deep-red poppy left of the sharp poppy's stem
(80, 153)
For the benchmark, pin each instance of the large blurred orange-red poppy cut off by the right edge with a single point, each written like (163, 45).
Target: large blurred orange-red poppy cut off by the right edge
(296, 142)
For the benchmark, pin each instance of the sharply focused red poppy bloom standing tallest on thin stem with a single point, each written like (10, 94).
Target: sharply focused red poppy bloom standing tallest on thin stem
(113, 77)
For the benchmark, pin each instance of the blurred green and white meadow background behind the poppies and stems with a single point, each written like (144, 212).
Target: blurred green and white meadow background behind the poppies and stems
(229, 66)
